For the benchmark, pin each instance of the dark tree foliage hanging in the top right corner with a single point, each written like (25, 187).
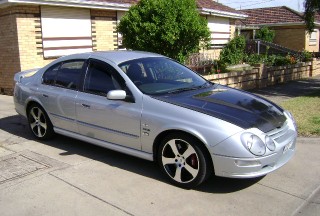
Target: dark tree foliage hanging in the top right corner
(311, 7)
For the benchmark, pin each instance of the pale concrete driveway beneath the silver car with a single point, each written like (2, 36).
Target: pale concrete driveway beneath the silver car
(68, 177)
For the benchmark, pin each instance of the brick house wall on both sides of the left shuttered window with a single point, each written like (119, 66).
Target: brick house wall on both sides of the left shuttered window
(21, 45)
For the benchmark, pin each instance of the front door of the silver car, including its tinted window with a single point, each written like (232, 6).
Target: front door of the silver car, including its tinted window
(113, 121)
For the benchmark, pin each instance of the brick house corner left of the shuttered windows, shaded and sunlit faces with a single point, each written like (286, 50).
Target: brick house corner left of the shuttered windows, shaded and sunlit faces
(20, 43)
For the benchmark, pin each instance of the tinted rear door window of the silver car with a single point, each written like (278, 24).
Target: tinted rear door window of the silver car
(65, 74)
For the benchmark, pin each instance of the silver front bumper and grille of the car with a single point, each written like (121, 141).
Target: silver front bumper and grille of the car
(255, 166)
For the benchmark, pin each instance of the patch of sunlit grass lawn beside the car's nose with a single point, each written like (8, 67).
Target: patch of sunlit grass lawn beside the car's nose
(306, 111)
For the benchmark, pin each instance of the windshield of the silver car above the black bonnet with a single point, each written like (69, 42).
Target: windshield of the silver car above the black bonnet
(159, 75)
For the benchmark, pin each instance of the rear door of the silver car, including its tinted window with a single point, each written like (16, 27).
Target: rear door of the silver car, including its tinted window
(59, 90)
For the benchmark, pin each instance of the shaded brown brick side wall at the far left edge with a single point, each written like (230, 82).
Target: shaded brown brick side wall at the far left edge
(9, 52)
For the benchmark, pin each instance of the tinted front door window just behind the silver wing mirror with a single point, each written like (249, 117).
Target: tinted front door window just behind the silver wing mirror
(100, 79)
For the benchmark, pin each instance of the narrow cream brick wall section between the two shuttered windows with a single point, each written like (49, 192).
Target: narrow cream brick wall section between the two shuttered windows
(104, 33)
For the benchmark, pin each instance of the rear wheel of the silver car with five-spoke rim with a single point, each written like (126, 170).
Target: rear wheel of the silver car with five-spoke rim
(39, 123)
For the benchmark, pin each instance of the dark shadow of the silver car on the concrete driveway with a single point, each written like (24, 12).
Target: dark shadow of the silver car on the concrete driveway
(17, 126)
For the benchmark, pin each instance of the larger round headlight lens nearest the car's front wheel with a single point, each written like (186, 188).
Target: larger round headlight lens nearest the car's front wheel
(253, 143)
